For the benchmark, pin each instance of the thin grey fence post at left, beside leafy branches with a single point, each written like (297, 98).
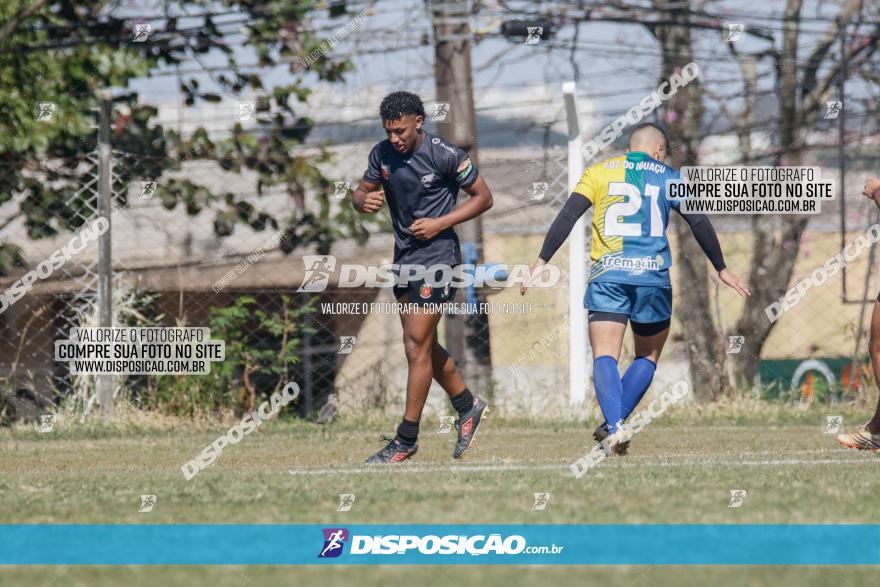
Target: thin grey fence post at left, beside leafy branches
(104, 382)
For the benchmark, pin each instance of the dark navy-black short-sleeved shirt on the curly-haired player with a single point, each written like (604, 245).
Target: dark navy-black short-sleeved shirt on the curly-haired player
(422, 184)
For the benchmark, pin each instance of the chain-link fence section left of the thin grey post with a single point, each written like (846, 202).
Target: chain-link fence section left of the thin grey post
(52, 284)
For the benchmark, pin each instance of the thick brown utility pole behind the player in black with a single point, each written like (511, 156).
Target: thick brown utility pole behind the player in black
(467, 337)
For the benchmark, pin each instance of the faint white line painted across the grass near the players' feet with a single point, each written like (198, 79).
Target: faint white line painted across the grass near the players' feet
(667, 462)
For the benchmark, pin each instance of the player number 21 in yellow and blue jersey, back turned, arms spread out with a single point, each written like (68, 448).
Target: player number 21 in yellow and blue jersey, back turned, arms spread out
(629, 274)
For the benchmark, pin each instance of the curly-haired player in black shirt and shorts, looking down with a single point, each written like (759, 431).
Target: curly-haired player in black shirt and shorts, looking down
(419, 176)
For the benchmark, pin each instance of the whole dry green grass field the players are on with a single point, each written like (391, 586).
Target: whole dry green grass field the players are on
(680, 470)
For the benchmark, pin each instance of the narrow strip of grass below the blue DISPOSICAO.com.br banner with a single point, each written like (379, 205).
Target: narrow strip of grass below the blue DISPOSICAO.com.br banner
(437, 576)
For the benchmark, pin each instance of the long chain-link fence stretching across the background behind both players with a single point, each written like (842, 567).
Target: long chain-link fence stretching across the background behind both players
(176, 264)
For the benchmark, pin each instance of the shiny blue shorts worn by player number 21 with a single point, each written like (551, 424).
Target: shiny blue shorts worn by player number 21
(642, 303)
